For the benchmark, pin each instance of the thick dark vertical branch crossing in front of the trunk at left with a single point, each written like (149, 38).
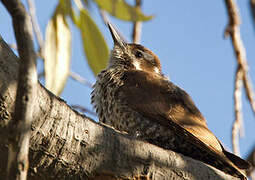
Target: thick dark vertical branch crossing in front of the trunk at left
(20, 126)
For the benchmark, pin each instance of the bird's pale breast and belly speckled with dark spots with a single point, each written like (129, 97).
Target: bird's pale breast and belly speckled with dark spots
(110, 107)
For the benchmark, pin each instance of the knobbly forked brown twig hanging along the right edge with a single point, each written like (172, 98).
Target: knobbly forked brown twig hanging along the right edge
(233, 29)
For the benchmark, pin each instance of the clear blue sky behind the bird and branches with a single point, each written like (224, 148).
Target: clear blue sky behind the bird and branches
(188, 38)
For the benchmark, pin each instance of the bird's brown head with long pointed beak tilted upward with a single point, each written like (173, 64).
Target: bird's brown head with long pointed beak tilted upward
(132, 56)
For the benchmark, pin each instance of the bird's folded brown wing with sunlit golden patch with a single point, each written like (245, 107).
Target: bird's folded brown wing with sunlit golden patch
(154, 96)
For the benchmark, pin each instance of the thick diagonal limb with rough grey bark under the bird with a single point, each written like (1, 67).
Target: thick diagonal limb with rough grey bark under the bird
(67, 145)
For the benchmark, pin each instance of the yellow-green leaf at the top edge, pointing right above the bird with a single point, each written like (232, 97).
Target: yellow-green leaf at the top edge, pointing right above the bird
(122, 10)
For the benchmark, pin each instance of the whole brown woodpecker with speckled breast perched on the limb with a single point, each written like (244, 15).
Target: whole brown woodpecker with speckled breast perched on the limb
(133, 95)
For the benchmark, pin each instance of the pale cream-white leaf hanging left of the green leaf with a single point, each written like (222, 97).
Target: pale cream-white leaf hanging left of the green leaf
(57, 52)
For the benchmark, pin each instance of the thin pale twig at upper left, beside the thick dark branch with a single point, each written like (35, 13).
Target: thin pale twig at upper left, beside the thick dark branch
(38, 33)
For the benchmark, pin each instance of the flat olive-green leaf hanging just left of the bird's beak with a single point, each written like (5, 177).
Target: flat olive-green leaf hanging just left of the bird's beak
(94, 45)
